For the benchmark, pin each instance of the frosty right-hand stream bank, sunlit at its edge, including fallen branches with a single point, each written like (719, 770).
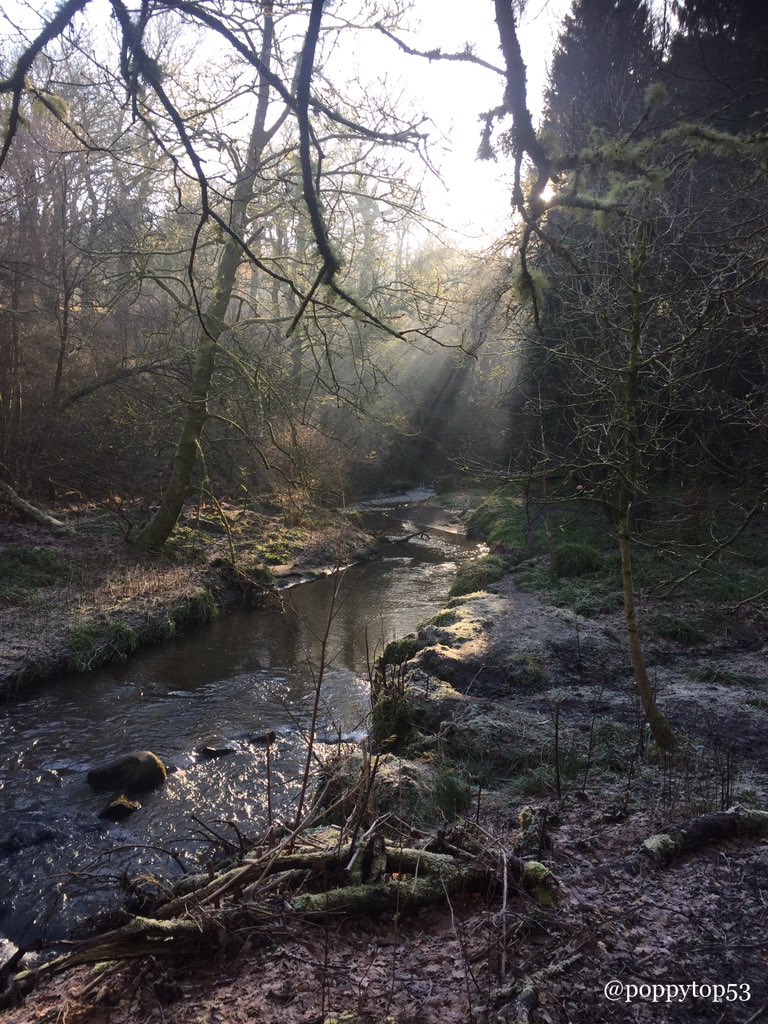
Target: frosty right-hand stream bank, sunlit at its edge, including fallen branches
(513, 733)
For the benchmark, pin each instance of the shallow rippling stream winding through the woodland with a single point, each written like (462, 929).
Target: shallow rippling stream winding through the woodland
(242, 676)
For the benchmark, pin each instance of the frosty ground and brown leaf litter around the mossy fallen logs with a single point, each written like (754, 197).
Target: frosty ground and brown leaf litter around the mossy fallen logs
(488, 686)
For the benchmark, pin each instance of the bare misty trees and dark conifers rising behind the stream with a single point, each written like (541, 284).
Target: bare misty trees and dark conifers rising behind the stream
(218, 272)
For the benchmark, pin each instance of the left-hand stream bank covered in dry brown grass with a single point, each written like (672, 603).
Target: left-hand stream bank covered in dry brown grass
(73, 604)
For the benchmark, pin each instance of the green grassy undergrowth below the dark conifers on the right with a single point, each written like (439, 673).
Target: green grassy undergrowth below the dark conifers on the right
(675, 553)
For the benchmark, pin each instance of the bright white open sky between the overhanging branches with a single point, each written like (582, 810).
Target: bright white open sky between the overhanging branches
(471, 197)
